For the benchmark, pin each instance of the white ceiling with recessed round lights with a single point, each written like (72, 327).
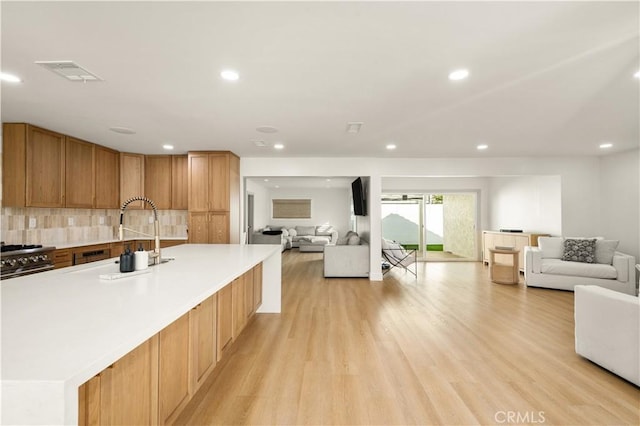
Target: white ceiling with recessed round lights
(547, 78)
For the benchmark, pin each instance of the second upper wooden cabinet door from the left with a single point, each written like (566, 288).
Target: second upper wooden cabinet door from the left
(79, 173)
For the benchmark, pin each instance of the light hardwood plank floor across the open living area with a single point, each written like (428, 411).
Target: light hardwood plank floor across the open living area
(449, 348)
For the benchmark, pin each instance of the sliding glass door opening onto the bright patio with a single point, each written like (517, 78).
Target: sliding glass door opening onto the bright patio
(439, 226)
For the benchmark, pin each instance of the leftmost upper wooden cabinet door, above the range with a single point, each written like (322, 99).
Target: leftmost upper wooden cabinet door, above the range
(45, 168)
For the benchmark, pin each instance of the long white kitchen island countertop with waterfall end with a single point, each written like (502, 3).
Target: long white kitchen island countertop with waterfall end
(61, 328)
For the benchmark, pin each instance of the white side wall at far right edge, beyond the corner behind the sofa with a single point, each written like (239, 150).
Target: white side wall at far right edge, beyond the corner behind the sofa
(620, 205)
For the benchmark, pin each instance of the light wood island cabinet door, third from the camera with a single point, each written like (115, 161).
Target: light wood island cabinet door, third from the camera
(203, 341)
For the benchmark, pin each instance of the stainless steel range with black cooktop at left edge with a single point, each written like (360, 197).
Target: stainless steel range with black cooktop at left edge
(19, 260)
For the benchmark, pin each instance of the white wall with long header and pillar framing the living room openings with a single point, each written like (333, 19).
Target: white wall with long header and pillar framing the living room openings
(580, 183)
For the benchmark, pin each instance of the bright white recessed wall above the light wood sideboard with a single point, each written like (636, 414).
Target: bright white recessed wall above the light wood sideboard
(530, 203)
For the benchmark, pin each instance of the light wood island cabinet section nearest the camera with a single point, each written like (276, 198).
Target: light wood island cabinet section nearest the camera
(124, 393)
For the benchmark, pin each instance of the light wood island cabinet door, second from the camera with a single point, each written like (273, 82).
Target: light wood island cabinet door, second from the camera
(173, 376)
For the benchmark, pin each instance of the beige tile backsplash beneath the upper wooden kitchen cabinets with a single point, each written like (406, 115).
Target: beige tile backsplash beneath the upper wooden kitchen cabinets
(68, 226)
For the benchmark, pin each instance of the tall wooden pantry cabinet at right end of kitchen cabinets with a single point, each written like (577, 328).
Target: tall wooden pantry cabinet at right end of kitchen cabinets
(214, 197)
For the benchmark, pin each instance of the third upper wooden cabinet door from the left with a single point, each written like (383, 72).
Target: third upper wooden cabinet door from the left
(107, 178)
